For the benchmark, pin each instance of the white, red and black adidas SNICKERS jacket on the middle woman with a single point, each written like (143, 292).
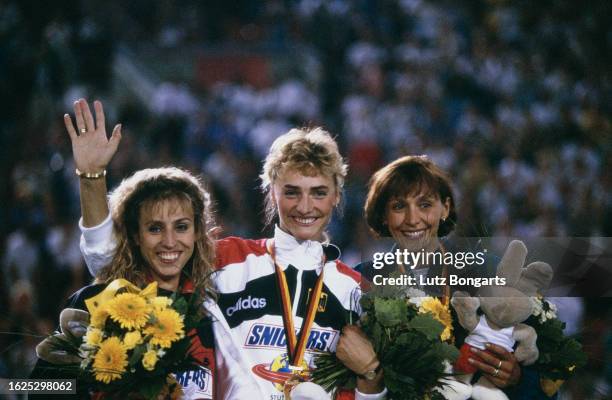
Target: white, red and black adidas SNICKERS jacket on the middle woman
(249, 313)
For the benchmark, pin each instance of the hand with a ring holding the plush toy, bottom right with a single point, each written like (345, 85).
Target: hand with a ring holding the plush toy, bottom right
(498, 365)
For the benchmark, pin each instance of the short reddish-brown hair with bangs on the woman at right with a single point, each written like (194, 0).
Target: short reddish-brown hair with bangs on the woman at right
(409, 174)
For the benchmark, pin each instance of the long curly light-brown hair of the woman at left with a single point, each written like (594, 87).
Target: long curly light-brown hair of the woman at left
(148, 187)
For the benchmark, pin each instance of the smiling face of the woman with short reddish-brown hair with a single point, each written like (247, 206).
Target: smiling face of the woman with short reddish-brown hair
(413, 220)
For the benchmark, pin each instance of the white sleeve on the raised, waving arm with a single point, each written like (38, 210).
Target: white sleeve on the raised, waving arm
(97, 245)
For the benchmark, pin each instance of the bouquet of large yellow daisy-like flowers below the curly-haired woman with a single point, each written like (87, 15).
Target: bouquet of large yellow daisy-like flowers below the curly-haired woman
(134, 341)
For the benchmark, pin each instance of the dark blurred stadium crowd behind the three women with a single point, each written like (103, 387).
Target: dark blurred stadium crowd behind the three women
(512, 98)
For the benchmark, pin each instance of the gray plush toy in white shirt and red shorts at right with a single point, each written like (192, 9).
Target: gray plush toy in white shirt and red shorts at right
(504, 308)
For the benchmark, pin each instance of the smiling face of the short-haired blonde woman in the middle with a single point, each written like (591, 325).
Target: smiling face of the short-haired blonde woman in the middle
(304, 203)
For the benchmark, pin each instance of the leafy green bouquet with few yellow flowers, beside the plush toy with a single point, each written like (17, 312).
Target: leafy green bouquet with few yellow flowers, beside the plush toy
(411, 335)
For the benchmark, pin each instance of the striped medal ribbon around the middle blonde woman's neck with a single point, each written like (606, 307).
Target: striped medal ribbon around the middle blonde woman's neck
(296, 346)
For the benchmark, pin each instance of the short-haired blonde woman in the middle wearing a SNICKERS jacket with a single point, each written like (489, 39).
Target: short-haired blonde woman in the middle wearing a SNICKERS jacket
(269, 289)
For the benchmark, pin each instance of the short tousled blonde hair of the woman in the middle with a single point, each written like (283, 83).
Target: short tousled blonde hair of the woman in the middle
(310, 151)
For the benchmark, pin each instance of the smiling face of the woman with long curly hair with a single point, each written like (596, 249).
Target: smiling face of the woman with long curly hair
(166, 237)
